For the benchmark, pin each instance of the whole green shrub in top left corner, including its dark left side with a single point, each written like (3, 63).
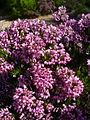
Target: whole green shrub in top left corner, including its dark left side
(19, 8)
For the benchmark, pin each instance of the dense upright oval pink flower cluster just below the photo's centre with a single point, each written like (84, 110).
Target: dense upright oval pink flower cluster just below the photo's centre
(43, 82)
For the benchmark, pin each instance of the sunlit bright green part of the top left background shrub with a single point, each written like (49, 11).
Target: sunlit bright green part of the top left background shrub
(23, 8)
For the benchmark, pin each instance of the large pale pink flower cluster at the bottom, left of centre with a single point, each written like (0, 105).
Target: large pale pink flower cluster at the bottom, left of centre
(26, 104)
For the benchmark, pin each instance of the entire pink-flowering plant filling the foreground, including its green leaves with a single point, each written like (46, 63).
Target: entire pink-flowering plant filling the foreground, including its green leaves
(44, 68)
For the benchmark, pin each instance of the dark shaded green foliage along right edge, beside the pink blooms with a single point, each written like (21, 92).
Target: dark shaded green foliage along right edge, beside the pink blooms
(79, 63)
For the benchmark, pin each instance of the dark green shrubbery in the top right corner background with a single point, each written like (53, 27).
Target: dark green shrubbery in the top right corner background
(79, 6)
